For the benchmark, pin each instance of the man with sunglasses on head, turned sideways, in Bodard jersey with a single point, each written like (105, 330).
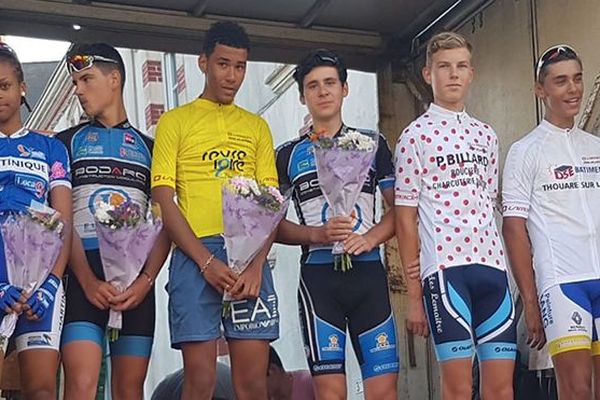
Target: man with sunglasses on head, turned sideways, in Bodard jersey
(110, 160)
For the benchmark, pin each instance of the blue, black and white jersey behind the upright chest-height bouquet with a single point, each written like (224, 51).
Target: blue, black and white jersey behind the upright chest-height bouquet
(297, 170)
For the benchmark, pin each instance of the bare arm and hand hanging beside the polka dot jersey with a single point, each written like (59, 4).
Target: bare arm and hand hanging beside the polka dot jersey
(408, 245)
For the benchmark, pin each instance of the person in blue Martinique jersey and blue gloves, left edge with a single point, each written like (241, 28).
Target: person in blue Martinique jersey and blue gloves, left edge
(34, 168)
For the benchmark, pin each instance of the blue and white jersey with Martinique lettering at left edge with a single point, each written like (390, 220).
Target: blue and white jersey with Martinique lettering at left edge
(31, 165)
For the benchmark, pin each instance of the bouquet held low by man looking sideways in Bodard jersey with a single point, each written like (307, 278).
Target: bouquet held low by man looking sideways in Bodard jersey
(125, 237)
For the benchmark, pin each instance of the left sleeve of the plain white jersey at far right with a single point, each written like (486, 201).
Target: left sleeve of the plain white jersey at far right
(517, 182)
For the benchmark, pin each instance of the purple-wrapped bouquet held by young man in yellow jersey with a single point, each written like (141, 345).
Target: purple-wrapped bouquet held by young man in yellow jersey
(251, 212)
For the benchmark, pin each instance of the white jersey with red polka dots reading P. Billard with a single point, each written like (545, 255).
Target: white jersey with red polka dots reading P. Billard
(447, 166)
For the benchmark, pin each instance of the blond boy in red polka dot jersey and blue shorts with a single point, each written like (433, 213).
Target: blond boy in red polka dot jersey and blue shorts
(445, 190)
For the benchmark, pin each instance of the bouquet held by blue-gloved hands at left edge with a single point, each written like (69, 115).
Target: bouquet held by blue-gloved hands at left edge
(32, 243)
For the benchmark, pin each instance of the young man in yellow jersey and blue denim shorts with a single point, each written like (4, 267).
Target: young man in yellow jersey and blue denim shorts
(197, 146)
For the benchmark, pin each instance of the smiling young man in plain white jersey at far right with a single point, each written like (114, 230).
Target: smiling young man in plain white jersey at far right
(552, 227)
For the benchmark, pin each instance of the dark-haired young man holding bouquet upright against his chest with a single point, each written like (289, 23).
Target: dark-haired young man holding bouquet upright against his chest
(333, 301)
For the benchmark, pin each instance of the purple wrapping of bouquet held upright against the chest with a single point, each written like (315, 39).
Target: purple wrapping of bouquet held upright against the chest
(342, 174)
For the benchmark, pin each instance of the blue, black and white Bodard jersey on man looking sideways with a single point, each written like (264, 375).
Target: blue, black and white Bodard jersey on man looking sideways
(108, 164)
